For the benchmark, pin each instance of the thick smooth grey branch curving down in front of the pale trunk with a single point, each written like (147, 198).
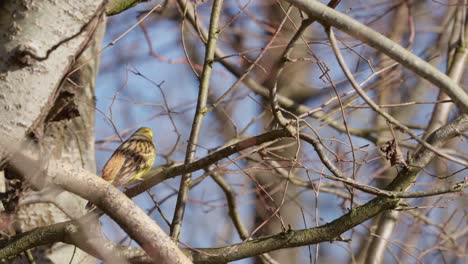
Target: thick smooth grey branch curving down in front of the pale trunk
(130, 217)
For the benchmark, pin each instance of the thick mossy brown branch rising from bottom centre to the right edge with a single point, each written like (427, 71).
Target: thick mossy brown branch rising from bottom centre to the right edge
(334, 229)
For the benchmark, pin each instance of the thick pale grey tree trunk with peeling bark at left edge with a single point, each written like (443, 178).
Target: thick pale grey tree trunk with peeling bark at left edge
(48, 102)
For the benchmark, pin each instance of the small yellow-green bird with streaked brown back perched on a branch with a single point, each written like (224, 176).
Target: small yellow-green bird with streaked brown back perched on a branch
(130, 161)
